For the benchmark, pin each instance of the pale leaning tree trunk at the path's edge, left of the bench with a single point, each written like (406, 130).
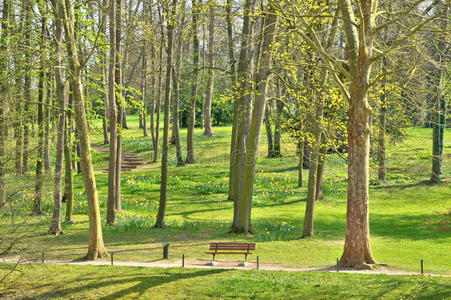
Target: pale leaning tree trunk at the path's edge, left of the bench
(96, 248)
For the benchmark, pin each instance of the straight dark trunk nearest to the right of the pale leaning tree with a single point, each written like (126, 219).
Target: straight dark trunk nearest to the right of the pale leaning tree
(111, 210)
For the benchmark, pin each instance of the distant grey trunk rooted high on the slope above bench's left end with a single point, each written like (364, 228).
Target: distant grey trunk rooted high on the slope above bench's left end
(208, 130)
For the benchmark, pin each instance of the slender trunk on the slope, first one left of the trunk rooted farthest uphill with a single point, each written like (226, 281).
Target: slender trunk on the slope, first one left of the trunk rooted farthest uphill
(194, 82)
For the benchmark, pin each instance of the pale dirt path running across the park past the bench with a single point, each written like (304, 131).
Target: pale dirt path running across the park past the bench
(228, 265)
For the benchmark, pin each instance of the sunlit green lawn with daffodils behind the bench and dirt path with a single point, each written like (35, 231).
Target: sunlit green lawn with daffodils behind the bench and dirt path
(198, 212)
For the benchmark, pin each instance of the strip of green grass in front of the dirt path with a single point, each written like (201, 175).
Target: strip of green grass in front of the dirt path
(106, 282)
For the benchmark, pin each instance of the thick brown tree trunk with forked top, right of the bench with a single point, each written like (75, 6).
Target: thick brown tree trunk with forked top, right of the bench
(357, 249)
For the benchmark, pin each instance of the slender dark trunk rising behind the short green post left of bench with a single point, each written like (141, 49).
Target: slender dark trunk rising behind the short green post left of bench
(167, 106)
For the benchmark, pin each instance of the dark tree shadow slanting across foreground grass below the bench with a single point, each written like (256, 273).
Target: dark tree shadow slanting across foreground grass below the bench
(136, 284)
